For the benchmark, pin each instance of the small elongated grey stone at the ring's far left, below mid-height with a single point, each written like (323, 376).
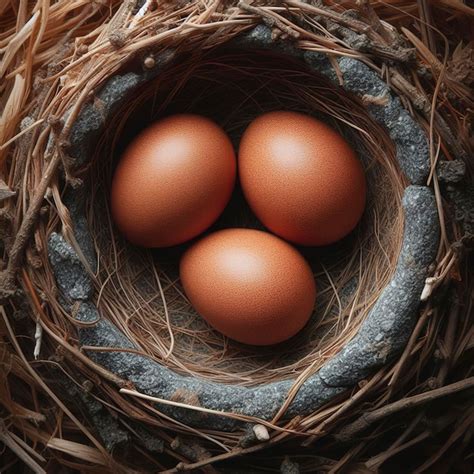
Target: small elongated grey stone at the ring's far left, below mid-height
(71, 276)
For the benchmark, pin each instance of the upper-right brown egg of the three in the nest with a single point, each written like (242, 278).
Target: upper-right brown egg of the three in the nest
(301, 178)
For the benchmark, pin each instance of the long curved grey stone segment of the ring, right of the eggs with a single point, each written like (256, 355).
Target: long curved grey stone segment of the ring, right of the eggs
(388, 326)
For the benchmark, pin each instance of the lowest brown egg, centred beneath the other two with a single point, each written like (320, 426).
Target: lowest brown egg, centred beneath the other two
(250, 285)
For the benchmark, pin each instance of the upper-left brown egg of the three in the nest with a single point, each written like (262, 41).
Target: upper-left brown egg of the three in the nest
(173, 181)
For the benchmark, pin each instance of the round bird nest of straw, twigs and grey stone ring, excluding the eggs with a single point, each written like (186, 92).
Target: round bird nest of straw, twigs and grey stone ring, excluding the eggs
(106, 358)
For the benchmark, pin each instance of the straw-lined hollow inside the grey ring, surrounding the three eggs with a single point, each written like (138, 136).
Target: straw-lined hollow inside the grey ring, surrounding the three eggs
(139, 290)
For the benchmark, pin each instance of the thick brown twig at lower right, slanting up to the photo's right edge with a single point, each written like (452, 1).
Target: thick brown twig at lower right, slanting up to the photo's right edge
(368, 419)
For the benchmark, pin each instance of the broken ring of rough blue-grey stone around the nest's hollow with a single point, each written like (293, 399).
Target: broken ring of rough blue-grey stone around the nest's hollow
(381, 337)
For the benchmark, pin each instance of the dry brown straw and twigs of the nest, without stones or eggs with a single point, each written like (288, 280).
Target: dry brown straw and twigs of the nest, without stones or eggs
(54, 58)
